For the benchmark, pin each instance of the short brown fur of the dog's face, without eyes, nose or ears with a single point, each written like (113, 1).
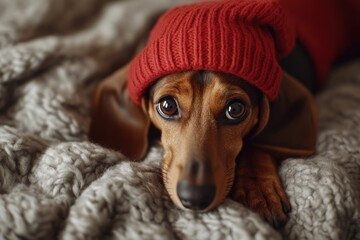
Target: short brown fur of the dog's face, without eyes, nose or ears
(198, 133)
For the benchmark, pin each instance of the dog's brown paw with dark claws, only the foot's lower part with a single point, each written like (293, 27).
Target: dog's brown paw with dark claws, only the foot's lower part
(264, 195)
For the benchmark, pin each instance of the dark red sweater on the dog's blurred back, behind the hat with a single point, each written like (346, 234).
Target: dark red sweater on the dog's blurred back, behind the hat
(327, 28)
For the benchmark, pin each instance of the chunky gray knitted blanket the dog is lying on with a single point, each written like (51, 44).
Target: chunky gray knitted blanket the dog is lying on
(55, 184)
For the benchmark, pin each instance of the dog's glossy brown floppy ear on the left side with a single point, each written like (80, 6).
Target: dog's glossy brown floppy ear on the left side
(117, 122)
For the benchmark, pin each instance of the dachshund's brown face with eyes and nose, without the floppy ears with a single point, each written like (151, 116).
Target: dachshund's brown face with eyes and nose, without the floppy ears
(203, 118)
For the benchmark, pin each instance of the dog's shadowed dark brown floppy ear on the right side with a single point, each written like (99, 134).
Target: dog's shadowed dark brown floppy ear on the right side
(290, 130)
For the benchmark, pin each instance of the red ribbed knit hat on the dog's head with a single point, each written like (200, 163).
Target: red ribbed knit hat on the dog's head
(241, 37)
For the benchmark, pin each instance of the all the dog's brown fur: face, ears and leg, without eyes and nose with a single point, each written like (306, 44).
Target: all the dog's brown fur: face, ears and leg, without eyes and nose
(240, 159)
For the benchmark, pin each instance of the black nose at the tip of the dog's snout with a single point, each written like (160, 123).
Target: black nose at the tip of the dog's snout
(195, 197)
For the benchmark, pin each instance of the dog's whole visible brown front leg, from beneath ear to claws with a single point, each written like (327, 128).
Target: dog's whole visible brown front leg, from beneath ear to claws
(258, 186)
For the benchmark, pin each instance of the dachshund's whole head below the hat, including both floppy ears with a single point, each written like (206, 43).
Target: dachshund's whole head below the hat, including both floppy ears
(205, 119)
